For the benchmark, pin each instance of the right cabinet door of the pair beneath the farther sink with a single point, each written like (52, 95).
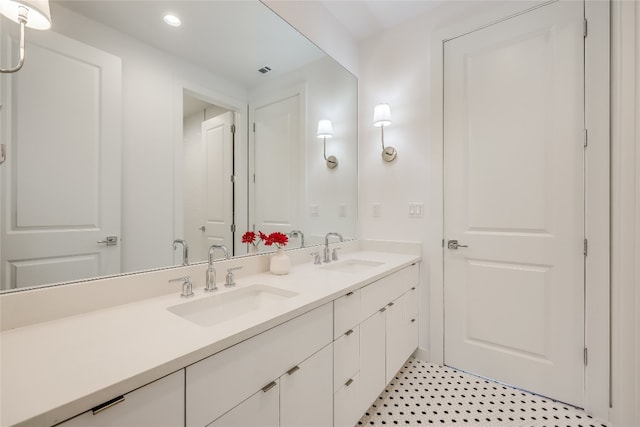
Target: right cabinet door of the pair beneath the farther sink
(397, 333)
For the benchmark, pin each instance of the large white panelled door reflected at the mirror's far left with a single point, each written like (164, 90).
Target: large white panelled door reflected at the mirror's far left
(60, 190)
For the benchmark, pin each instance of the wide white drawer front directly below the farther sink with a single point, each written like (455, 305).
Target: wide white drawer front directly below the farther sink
(380, 293)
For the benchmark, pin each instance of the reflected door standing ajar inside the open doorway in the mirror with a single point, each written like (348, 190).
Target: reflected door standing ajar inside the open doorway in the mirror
(217, 146)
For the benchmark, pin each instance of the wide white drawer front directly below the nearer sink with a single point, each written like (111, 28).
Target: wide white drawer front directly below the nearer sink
(219, 382)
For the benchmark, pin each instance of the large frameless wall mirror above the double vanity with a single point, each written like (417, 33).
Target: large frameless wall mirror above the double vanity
(124, 134)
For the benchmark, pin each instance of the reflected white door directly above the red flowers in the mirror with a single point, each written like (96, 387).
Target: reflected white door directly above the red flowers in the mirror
(277, 165)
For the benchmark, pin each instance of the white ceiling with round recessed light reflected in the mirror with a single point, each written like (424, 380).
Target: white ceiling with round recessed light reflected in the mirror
(233, 39)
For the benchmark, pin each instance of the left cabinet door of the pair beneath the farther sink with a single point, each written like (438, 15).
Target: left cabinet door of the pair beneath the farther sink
(372, 358)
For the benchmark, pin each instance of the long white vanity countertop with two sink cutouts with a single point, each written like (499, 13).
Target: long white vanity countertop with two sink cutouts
(53, 370)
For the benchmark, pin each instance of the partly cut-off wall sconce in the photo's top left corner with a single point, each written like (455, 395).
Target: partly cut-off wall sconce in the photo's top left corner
(28, 13)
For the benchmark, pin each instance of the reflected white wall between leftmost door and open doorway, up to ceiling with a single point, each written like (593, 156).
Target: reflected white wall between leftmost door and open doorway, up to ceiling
(152, 110)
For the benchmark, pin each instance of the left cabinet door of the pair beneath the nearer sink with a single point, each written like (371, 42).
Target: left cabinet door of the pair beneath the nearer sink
(259, 410)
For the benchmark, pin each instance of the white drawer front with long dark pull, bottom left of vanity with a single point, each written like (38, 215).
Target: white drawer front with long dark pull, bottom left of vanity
(160, 403)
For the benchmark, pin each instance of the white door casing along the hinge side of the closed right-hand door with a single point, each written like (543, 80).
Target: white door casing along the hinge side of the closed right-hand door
(597, 205)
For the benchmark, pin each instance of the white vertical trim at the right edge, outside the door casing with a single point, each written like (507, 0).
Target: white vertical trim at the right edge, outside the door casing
(625, 197)
